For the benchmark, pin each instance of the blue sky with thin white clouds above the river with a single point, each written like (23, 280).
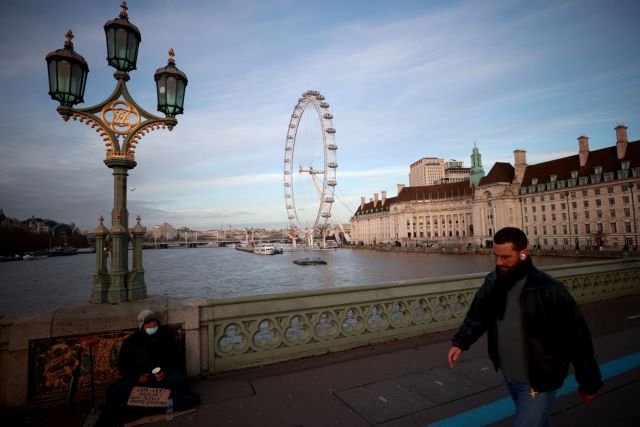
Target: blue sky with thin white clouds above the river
(404, 80)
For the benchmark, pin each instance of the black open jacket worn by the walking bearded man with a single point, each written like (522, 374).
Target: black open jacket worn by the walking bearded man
(555, 333)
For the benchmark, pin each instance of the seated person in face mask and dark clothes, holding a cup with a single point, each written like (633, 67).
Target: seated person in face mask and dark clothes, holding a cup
(150, 347)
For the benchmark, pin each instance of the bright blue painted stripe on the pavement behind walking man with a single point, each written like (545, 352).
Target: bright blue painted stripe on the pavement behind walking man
(503, 408)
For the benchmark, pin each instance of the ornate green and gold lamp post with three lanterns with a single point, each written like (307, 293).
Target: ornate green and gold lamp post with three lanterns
(121, 123)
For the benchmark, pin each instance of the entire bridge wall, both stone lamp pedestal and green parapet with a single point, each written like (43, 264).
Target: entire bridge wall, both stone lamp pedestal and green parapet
(37, 351)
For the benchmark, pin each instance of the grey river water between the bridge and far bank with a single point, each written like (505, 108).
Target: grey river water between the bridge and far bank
(38, 285)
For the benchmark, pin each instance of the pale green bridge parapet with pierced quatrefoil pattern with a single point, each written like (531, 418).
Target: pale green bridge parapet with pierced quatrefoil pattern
(254, 331)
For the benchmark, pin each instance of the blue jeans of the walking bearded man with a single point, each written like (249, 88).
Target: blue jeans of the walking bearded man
(531, 411)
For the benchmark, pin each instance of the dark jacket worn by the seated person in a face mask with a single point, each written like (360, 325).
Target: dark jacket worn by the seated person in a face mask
(140, 353)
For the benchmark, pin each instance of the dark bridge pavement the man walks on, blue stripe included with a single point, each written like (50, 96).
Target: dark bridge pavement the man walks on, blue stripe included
(402, 383)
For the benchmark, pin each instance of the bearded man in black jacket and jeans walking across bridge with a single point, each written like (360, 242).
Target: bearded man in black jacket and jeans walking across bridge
(534, 330)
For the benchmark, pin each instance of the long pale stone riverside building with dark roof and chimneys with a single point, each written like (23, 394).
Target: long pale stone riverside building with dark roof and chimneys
(590, 199)
